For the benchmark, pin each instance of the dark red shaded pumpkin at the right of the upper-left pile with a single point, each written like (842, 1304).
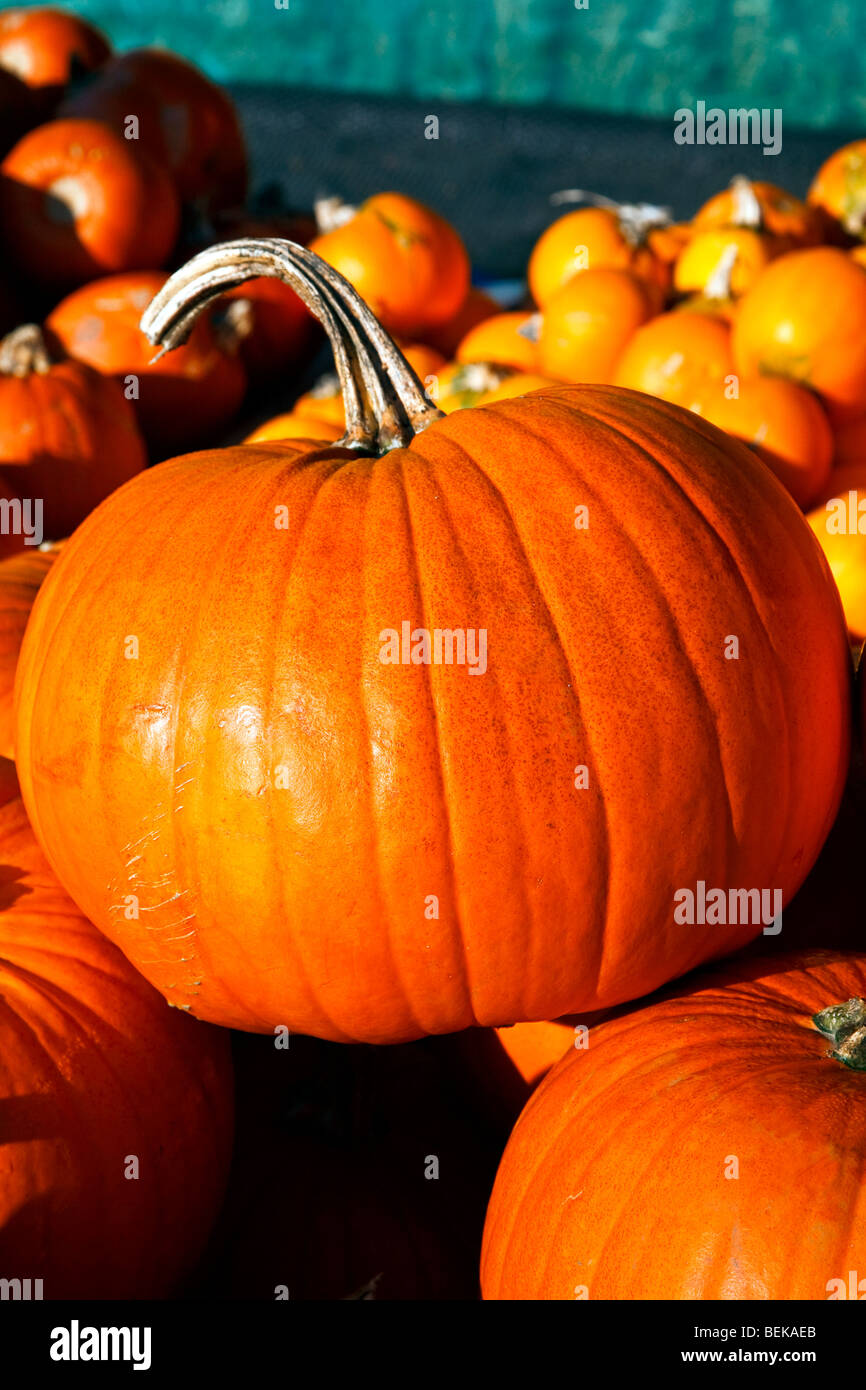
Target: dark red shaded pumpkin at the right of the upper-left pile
(186, 123)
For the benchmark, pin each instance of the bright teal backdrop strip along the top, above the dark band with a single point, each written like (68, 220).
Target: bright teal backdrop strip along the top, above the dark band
(643, 58)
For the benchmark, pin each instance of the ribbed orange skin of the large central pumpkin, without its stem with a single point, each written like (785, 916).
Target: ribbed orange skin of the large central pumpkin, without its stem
(259, 661)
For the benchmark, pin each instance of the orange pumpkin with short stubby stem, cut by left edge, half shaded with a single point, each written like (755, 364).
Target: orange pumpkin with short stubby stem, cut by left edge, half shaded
(67, 433)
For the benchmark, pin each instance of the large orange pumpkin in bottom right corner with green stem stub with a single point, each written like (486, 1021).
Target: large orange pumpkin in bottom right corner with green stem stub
(694, 1185)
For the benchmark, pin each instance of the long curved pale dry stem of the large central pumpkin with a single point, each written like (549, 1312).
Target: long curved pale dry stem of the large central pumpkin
(383, 398)
